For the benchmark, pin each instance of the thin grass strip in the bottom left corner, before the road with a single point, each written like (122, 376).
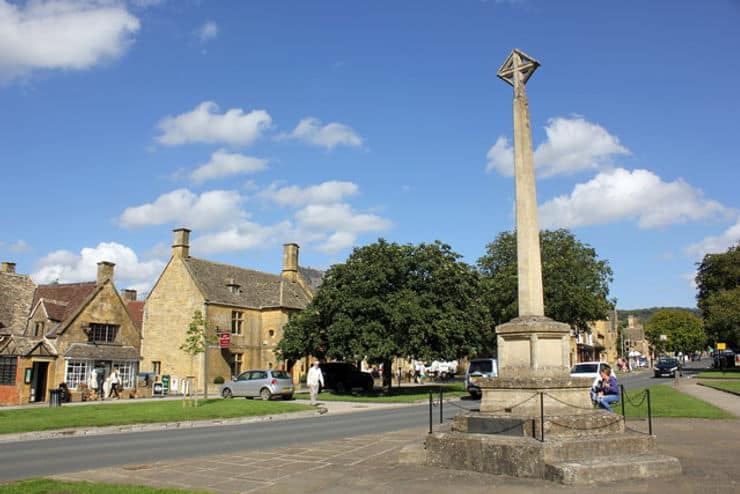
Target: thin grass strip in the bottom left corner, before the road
(40, 486)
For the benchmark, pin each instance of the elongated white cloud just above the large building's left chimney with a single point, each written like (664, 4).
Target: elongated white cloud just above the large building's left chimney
(209, 210)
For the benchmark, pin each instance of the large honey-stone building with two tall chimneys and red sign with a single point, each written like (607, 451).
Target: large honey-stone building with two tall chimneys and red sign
(247, 308)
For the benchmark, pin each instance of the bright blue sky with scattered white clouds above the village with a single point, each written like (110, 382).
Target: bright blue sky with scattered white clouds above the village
(256, 123)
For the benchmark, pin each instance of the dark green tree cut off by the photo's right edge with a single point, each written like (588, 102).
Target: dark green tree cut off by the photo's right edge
(718, 282)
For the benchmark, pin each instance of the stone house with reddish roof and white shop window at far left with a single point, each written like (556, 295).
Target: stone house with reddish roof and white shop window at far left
(70, 330)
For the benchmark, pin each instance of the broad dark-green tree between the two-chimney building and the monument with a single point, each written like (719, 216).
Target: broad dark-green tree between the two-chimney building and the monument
(389, 300)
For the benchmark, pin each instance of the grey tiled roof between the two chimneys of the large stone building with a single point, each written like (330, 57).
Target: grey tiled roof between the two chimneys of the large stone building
(255, 289)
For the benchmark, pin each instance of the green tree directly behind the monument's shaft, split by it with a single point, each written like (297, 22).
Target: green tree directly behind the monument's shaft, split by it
(575, 280)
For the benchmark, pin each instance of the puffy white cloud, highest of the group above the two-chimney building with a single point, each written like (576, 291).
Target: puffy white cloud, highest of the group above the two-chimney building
(205, 124)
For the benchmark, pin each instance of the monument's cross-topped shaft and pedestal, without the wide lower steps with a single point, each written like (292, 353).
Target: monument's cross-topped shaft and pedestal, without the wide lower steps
(533, 350)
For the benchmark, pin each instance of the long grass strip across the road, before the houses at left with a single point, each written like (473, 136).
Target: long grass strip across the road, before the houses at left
(39, 419)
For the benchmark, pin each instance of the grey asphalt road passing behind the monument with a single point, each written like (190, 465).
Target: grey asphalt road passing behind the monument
(47, 457)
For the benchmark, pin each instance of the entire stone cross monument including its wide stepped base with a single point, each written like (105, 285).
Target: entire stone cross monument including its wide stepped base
(534, 419)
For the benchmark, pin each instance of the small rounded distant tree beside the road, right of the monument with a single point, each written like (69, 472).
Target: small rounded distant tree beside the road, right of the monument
(684, 331)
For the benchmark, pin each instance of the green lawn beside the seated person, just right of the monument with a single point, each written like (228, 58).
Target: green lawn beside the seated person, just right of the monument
(667, 402)
